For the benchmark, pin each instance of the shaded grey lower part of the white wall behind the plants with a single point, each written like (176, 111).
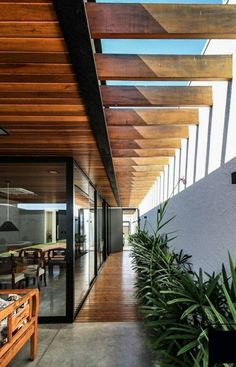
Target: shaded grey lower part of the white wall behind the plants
(205, 219)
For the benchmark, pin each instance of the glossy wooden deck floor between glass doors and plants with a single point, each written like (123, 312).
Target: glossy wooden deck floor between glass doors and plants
(112, 296)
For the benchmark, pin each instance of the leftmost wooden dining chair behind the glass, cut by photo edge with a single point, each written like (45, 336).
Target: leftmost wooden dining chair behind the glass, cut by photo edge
(9, 276)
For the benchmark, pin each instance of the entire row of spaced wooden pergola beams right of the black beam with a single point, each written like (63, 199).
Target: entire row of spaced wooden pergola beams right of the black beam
(143, 136)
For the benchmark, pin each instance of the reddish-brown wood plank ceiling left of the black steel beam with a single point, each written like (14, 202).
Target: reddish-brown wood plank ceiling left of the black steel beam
(40, 103)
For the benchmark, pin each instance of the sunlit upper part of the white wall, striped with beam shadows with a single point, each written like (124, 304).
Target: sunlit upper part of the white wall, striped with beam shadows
(216, 134)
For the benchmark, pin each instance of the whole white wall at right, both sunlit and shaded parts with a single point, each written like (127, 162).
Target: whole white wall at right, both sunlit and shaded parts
(206, 209)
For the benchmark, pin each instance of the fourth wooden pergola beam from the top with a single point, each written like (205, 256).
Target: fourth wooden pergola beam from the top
(152, 116)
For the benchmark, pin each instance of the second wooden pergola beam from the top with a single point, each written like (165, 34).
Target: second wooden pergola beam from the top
(163, 67)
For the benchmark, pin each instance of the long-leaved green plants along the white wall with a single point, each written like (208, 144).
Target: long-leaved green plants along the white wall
(177, 304)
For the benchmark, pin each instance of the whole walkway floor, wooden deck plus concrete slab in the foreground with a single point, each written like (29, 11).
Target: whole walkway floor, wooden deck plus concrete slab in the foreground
(97, 344)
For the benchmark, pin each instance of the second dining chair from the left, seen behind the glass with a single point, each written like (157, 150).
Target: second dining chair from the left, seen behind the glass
(34, 265)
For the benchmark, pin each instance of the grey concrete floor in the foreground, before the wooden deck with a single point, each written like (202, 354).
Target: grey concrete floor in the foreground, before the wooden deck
(88, 345)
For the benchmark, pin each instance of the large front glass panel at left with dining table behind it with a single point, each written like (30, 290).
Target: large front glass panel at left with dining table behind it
(33, 229)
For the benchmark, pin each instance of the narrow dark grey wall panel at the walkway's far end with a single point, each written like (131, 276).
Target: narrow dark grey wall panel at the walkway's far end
(116, 229)
